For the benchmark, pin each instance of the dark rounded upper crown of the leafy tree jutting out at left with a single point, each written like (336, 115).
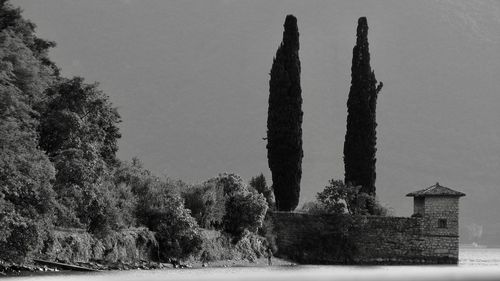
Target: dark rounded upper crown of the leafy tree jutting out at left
(80, 115)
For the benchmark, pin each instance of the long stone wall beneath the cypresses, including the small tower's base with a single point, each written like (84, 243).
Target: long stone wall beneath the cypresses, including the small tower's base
(332, 239)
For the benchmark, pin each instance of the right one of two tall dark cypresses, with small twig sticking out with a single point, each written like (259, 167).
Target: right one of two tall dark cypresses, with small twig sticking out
(360, 139)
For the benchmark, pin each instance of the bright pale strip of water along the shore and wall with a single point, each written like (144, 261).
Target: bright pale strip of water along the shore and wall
(475, 264)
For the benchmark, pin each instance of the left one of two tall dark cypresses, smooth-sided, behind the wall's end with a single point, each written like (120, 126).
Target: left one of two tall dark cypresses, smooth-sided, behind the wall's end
(284, 122)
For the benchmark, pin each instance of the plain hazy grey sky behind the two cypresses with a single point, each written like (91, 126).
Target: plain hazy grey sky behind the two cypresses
(190, 79)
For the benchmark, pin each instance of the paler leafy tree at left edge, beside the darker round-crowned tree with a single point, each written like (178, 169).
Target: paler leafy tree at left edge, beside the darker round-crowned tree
(25, 171)
